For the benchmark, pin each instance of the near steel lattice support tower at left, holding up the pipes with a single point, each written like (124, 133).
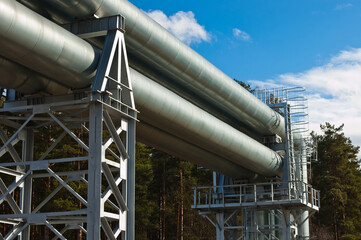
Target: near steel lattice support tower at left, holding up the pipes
(100, 122)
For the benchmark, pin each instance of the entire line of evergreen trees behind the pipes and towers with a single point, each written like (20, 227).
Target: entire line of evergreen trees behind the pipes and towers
(164, 192)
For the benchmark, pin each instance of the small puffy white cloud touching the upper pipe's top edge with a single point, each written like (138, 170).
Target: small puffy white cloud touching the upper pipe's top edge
(183, 25)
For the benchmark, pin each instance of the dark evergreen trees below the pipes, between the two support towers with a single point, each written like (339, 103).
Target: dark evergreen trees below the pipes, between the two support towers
(164, 197)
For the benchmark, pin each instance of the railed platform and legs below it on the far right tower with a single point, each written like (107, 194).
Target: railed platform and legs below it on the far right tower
(248, 201)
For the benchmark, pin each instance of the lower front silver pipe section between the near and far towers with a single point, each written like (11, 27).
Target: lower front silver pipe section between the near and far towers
(163, 108)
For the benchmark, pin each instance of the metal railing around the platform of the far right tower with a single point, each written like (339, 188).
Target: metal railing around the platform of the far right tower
(256, 194)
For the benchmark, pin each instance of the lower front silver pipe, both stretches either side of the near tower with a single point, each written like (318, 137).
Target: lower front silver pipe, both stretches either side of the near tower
(69, 59)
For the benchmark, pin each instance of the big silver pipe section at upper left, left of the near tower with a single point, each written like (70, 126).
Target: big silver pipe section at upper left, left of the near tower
(41, 45)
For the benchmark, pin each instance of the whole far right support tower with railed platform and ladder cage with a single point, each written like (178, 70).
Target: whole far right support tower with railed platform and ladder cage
(267, 208)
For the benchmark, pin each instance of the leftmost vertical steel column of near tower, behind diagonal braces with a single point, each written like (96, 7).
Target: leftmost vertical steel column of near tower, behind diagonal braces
(28, 154)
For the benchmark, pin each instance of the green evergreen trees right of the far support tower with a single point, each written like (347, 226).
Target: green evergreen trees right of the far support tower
(337, 175)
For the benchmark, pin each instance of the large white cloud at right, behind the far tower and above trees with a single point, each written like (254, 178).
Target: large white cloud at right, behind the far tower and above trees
(334, 92)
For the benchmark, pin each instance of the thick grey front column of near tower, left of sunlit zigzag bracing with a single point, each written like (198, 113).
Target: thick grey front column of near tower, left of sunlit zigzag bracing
(96, 155)
